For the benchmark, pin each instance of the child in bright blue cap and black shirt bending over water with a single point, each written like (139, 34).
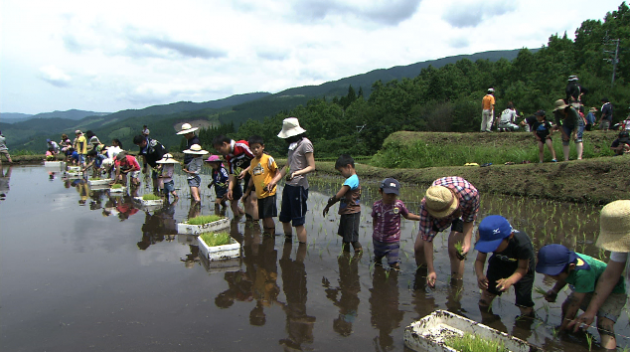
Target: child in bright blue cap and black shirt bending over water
(512, 263)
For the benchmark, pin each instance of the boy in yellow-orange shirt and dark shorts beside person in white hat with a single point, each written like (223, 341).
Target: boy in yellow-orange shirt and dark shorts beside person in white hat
(262, 170)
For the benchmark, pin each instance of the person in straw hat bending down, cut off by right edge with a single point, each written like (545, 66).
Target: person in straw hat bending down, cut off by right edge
(614, 236)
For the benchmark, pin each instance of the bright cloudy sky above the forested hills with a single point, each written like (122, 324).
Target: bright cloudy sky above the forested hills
(112, 55)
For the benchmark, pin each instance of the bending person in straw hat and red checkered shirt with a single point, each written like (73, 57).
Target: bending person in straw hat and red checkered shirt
(450, 201)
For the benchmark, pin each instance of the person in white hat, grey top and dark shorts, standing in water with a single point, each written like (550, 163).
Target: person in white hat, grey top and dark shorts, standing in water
(300, 161)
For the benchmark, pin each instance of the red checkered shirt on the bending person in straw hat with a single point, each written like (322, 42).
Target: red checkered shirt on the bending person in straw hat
(468, 205)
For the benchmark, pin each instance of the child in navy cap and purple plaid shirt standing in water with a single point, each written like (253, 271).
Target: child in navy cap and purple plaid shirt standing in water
(386, 213)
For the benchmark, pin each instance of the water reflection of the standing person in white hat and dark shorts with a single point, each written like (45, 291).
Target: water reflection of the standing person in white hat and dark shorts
(299, 325)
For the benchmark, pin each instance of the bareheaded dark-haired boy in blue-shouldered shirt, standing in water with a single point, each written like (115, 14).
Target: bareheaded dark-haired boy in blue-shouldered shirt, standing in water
(350, 209)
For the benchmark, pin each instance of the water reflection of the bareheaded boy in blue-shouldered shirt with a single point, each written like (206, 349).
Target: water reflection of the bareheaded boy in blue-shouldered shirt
(349, 287)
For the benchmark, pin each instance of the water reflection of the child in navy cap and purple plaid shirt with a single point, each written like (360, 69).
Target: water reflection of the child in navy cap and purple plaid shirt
(384, 306)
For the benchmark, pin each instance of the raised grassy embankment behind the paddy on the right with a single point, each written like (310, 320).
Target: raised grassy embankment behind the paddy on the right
(596, 180)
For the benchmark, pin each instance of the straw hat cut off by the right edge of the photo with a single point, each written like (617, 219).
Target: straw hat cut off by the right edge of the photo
(614, 227)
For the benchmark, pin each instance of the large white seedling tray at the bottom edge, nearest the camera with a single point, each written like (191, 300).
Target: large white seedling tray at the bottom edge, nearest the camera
(431, 332)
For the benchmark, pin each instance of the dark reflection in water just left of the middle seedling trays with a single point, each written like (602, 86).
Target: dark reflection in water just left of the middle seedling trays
(159, 226)
